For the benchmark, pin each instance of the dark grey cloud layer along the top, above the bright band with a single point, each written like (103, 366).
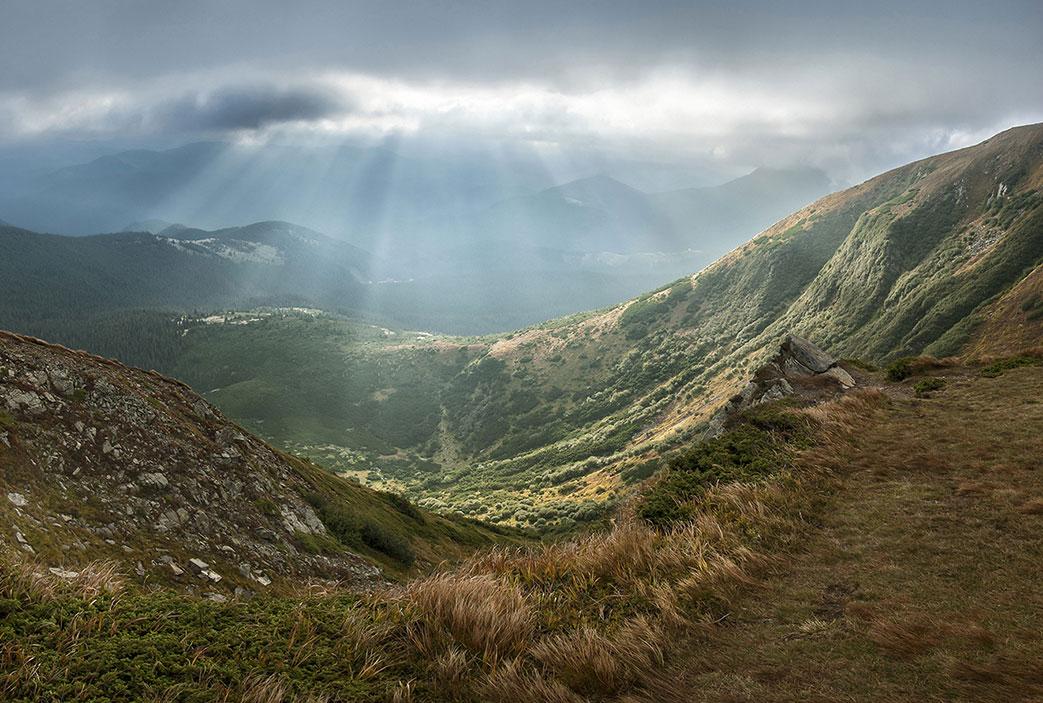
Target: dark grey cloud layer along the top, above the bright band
(62, 42)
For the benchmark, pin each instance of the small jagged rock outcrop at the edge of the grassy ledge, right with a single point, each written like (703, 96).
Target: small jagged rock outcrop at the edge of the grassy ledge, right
(799, 365)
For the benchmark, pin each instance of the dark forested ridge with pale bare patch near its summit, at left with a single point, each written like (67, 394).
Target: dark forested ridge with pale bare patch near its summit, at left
(51, 277)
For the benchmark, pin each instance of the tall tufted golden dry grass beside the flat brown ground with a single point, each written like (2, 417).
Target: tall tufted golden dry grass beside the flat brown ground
(593, 618)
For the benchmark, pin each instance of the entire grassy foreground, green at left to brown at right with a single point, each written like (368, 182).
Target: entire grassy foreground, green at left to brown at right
(898, 537)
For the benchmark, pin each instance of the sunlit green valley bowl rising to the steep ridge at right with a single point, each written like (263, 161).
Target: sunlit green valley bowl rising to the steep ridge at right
(547, 424)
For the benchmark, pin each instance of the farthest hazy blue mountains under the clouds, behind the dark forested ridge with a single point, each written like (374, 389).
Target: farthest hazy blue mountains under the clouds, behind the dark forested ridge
(381, 200)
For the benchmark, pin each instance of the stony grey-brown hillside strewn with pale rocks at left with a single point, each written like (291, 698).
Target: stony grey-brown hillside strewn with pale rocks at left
(106, 462)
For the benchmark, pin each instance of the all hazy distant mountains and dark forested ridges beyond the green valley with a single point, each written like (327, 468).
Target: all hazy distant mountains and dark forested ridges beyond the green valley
(495, 252)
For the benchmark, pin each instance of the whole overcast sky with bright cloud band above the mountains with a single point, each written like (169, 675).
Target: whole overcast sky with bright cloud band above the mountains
(854, 88)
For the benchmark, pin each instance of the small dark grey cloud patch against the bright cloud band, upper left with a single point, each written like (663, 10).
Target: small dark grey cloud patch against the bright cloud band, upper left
(248, 108)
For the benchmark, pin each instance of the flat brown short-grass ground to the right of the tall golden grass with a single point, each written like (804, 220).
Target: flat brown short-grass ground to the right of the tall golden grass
(926, 580)
